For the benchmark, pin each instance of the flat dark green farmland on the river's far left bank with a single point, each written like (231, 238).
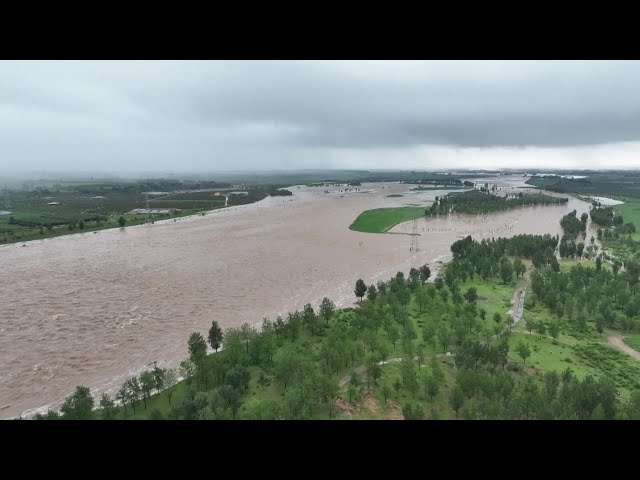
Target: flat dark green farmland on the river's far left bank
(72, 207)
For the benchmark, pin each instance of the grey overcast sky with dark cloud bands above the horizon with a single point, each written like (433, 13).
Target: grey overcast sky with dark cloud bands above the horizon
(207, 116)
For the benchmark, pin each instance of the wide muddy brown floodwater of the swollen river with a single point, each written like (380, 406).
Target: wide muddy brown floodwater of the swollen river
(94, 308)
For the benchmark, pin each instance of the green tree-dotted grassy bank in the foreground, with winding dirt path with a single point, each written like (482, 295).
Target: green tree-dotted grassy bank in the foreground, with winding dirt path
(415, 349)
